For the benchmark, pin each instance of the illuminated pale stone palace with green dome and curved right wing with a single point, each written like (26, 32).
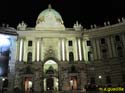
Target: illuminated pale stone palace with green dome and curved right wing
(52, 57)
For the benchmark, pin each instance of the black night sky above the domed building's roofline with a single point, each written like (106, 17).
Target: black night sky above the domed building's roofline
(85, 11)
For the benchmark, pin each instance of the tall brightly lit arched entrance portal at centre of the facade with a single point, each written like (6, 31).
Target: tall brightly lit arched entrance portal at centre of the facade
(50, 70)
